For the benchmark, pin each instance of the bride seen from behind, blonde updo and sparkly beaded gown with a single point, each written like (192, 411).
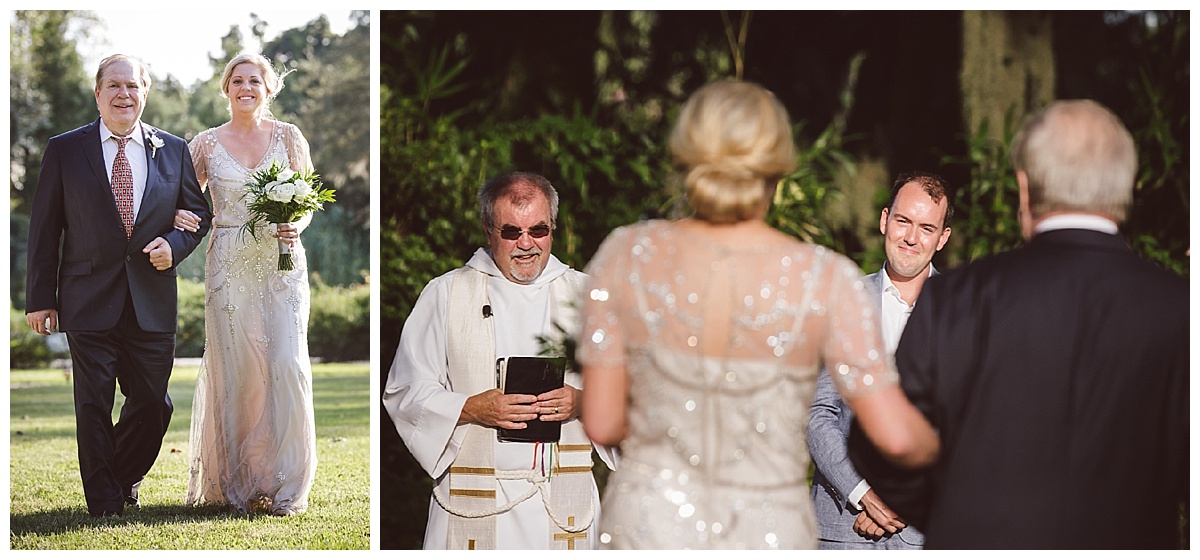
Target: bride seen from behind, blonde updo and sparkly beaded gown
(703, 341)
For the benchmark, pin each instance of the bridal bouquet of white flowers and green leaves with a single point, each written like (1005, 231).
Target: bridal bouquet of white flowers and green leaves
(278, 195)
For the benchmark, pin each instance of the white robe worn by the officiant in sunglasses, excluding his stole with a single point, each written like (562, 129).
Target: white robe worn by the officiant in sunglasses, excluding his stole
(425, 410)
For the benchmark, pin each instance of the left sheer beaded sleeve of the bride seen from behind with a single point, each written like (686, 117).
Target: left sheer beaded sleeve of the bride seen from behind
(602, 341)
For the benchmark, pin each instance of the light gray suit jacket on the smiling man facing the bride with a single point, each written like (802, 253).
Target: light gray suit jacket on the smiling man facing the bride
(836, 478)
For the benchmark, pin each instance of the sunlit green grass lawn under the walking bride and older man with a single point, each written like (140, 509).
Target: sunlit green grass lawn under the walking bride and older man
(49, 510)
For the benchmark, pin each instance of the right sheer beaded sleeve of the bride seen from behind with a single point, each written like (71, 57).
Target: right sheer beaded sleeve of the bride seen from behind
(854, 352)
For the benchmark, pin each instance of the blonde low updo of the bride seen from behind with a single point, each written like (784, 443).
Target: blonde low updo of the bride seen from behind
(735, 141)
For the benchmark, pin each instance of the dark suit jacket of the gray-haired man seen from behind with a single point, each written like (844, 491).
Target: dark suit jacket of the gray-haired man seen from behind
(1057, 376)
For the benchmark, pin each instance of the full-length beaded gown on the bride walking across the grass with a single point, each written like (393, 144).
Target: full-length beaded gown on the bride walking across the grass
(253, 436)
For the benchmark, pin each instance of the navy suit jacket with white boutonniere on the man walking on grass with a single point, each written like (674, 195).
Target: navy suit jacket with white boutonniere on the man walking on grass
(98, 267)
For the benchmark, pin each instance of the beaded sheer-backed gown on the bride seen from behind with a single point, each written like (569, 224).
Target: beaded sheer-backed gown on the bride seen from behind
(723, 344)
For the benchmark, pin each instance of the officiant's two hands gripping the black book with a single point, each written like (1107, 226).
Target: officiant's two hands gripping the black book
(512, 412)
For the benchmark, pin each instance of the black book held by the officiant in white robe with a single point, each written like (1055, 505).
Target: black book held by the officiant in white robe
(531, 376)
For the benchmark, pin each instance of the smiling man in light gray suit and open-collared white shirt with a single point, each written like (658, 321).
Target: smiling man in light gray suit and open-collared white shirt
(916, 225)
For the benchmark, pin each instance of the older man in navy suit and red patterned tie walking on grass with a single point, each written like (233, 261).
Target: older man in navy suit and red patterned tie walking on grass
(103, 256)
